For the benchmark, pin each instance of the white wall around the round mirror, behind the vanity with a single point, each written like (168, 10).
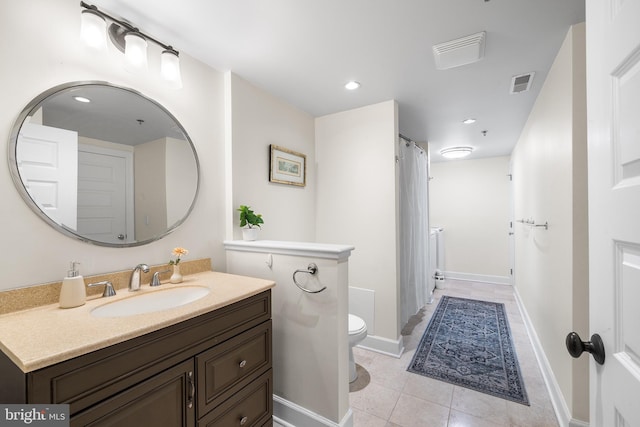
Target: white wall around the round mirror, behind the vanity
(42, 48)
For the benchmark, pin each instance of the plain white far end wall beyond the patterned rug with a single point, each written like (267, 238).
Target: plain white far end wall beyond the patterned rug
(470, 200)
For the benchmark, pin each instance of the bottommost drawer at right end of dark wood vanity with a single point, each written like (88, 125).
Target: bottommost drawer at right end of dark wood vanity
(250, 407)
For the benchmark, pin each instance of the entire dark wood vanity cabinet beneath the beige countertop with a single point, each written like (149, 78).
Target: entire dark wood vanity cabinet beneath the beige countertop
(212, 370)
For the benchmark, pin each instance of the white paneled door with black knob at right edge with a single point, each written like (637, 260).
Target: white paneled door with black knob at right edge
(613, 105)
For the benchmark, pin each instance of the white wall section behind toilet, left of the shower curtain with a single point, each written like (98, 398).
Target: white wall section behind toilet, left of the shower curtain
(356, 201)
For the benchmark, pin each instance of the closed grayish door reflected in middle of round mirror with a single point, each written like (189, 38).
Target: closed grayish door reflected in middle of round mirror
(105, 191)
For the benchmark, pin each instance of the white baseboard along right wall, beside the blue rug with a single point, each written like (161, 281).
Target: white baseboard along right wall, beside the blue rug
(560, 406)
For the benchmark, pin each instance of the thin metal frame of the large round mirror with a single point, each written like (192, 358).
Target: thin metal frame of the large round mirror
(31, 107)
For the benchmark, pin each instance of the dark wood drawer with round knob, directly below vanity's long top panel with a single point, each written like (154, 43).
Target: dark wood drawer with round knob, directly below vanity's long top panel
(228, 367)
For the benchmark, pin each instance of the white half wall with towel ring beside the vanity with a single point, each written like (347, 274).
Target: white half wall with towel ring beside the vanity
(310, 338)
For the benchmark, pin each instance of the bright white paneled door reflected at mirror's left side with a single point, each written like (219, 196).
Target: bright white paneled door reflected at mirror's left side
(47, 161)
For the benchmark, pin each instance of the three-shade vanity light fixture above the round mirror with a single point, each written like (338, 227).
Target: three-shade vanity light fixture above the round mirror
(128, 39)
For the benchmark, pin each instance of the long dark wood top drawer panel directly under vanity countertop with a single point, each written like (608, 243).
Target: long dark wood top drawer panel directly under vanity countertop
(88, 379)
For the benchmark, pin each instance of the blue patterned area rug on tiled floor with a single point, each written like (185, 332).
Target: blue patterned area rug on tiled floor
(468, 343)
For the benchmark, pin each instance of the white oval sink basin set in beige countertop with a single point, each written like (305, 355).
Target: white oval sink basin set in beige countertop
(153, 301)
